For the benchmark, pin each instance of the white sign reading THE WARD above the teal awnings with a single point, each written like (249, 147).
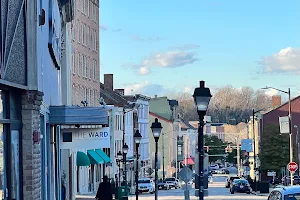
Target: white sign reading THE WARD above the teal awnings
(85, 138)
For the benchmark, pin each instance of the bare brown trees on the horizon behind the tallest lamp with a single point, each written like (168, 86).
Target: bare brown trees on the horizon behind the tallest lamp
(228, 104)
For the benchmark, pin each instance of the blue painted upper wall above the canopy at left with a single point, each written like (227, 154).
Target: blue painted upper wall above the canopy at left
(48, 74)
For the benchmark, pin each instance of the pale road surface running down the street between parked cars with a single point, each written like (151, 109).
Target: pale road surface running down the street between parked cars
(216, 191)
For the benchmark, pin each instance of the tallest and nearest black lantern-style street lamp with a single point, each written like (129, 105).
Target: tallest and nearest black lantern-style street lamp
(201, 97)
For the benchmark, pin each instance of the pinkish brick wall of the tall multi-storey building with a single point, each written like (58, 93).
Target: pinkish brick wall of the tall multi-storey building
(85, 88)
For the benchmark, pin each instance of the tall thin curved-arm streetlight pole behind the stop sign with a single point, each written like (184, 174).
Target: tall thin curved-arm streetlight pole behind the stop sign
(290, 125)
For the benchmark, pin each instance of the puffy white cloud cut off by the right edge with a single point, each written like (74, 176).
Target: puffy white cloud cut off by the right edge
(286, 60)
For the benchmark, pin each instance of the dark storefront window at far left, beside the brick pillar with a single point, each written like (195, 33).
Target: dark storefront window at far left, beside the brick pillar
(10, 145)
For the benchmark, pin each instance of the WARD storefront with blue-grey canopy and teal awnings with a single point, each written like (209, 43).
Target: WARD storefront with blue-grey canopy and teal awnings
(82, 140)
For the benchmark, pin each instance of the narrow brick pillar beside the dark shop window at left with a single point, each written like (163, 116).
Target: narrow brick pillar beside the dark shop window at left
(31, 101)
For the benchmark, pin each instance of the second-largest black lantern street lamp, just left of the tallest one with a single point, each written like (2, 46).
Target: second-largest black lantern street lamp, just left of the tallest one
(156, 130)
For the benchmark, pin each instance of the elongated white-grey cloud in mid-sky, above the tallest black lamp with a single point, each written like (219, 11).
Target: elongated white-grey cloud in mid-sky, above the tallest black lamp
(169, 59)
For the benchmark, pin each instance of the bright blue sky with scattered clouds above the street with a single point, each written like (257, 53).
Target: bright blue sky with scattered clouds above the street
(163, 46)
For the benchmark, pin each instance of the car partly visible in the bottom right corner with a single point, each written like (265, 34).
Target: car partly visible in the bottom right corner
(285, 193)
